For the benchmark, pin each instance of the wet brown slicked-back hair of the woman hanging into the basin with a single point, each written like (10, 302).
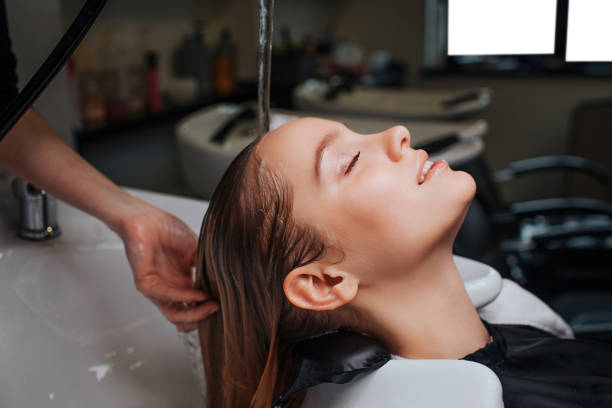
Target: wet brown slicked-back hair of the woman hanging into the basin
(249, 242)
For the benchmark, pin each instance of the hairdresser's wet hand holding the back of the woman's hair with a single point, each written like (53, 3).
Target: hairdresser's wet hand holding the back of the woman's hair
(162, 250)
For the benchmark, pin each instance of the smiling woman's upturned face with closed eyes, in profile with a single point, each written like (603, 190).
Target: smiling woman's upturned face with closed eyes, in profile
(364, 193)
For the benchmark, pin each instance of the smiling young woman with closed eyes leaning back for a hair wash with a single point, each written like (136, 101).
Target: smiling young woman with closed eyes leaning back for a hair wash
(315, 227)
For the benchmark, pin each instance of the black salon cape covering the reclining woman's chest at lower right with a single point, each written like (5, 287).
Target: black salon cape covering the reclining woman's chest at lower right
(537, 369)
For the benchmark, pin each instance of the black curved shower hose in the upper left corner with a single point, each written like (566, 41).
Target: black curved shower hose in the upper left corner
(54, 62)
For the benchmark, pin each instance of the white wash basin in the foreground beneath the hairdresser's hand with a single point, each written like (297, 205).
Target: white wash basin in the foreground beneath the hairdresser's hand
(74, 332)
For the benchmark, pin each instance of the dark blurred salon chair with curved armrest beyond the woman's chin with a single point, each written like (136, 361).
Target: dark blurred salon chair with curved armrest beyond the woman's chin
(559, 248)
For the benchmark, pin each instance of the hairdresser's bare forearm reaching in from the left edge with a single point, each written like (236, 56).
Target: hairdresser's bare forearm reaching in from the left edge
(34, 152)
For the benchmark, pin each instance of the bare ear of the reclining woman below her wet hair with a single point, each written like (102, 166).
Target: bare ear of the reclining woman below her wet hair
(320, 287)
